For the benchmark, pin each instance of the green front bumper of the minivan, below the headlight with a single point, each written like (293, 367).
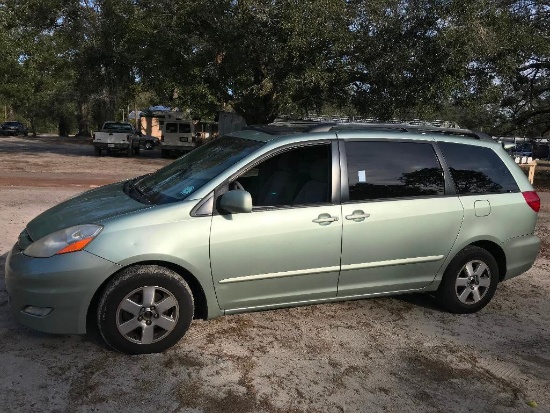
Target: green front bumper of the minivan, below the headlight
(66, 283)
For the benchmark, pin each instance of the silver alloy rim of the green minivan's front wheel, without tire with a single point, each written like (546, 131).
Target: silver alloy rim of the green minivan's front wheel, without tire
(147, 315)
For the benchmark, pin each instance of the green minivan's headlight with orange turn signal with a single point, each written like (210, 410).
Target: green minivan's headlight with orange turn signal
(62, 242)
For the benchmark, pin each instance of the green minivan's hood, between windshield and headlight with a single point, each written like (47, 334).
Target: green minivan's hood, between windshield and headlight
(92, 207)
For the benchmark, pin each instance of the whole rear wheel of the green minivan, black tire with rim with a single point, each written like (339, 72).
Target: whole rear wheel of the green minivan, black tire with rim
(469, 282)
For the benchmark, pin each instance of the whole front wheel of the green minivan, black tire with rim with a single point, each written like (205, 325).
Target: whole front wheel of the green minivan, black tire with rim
(155, 329)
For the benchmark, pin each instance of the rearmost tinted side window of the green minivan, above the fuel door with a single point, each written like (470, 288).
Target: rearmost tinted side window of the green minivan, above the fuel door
(477, 170)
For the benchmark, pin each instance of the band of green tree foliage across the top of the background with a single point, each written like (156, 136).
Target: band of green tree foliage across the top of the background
(77, 63)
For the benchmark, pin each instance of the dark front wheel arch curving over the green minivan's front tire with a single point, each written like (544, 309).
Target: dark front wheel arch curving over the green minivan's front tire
(199, 296)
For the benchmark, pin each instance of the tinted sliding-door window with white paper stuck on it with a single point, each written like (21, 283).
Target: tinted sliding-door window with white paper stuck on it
(378, 170)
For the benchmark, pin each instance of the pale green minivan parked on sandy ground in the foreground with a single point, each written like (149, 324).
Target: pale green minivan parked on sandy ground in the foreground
(262, 219)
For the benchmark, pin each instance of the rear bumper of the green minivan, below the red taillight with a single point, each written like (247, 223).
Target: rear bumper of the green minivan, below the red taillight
(521, 253)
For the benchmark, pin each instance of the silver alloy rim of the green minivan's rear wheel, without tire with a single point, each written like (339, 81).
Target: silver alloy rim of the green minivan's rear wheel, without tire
(473, 282)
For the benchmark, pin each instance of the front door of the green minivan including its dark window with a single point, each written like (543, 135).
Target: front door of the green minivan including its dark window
(287, 250)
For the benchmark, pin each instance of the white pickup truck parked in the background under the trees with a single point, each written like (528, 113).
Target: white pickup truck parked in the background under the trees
(116, 137)
